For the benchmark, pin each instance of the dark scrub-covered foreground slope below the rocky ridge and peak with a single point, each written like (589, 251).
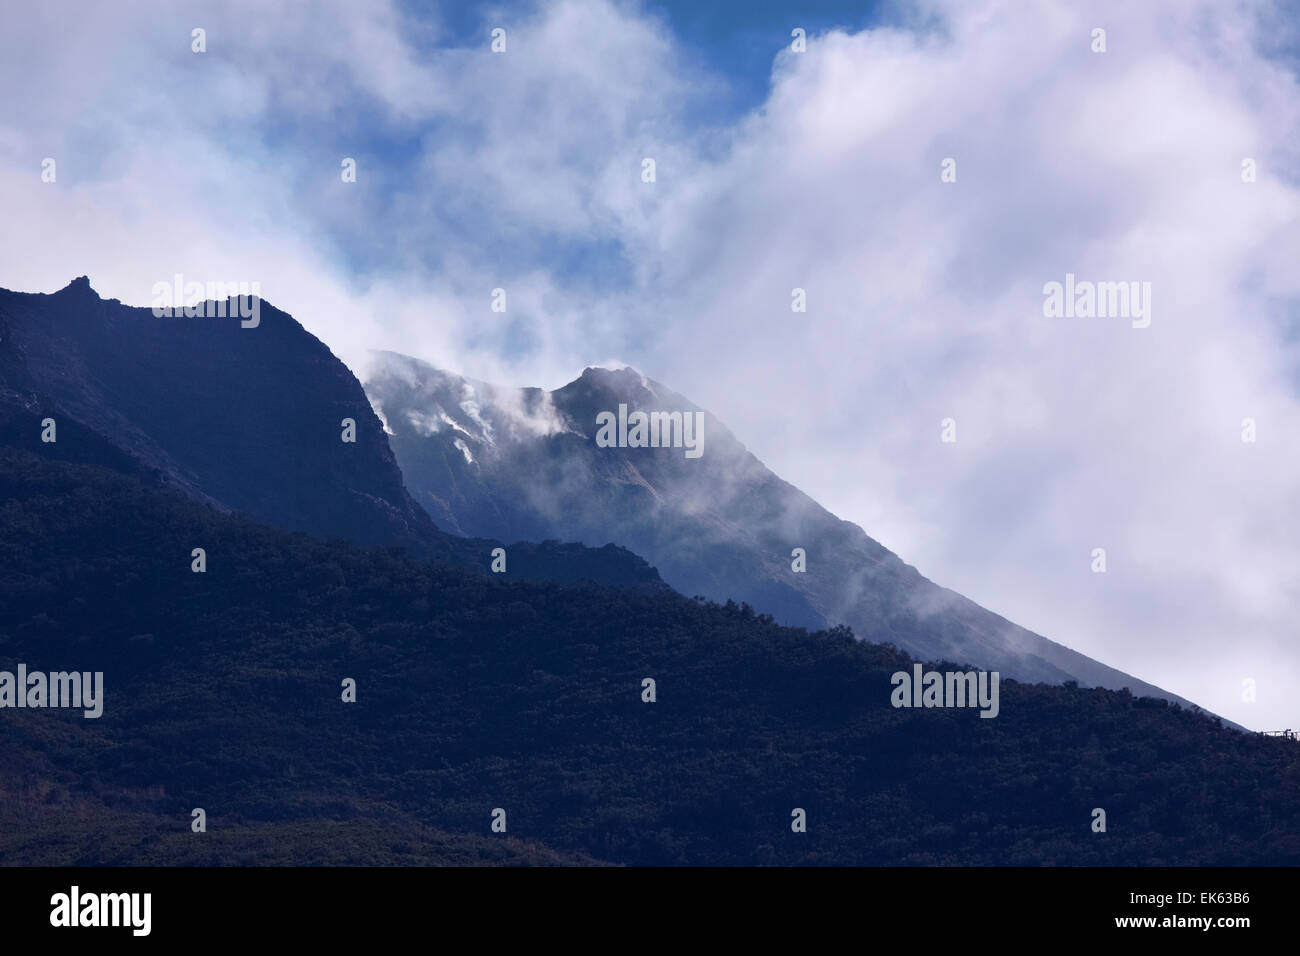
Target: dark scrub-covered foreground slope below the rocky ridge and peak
(223, 691)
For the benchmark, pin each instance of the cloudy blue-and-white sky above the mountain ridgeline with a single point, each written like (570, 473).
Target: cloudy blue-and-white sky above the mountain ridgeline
(774, 170)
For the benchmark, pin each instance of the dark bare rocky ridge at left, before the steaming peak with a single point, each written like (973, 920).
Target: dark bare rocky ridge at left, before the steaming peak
(245, 419)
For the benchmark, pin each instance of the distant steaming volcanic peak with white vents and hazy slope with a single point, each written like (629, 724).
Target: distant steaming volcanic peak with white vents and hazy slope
(525, 464)
